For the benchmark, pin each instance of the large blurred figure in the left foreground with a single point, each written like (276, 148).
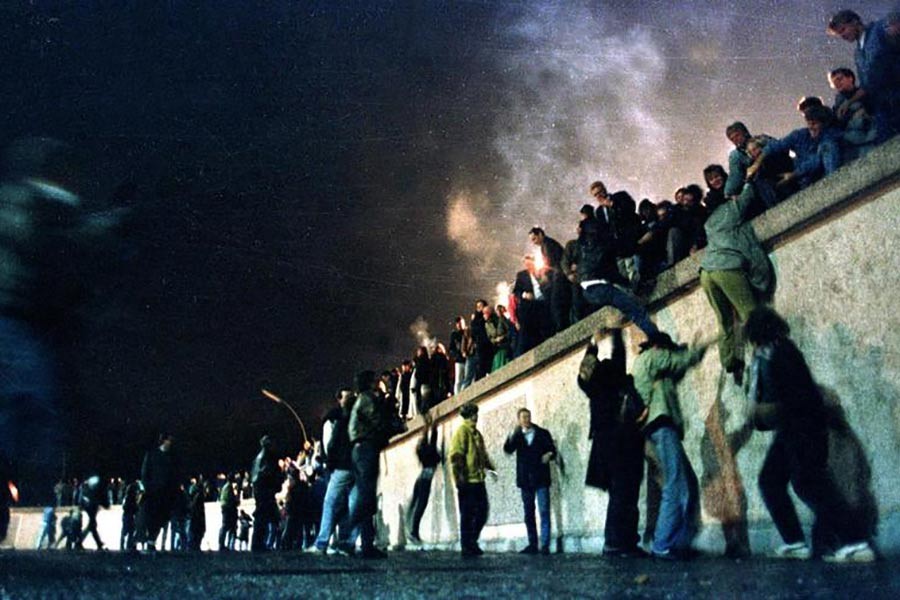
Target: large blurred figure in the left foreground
(45, 239)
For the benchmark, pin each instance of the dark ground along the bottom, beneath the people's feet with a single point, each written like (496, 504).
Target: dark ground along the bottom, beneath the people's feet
(431, 575)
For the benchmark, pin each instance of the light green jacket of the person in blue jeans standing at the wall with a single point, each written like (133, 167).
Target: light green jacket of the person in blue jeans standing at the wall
(656, 373)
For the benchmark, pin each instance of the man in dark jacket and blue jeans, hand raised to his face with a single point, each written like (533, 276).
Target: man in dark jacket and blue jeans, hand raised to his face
(534, 450)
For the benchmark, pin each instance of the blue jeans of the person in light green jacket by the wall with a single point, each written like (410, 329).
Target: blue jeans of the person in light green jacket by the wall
(676, 525)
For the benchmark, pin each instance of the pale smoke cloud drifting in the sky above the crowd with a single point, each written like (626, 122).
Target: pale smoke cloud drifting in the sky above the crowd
(582, 103)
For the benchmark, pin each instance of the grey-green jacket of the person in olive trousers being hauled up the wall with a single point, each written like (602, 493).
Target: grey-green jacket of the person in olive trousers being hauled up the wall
(732, 244)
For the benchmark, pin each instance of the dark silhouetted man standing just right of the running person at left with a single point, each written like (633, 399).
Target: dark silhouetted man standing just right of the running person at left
(159, 474)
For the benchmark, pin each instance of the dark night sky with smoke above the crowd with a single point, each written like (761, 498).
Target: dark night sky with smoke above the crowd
(311, 176)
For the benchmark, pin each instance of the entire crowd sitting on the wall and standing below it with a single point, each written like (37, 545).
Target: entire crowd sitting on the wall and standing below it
(325, 499)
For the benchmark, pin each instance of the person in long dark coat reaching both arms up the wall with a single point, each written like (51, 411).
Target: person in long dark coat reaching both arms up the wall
(617, 446)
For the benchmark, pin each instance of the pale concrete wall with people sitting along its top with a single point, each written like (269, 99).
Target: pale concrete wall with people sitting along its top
(834, 249)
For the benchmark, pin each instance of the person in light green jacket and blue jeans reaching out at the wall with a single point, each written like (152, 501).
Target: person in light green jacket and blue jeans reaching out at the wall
(659, 366)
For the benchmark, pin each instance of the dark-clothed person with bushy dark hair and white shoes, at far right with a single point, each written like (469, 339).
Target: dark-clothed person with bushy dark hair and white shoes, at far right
(787, 400)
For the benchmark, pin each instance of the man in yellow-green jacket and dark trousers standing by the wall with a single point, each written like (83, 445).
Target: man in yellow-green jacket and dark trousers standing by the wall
(470, 463)
